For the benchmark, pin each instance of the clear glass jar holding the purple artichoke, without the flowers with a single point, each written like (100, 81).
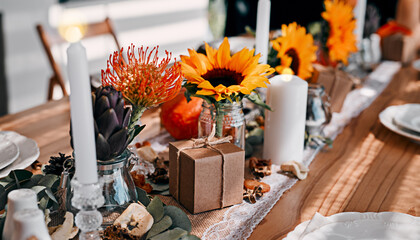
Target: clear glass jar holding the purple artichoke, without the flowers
(118, 186)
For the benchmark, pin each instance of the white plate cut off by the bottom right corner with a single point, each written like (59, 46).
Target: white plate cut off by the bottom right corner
(353, 225)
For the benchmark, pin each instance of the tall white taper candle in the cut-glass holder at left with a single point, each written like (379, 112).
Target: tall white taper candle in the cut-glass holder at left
(81, 115)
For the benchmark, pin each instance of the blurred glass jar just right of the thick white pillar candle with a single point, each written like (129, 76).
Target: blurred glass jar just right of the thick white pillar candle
(318, 113)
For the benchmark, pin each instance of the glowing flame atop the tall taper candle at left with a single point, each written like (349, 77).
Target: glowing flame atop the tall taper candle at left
(72, 27)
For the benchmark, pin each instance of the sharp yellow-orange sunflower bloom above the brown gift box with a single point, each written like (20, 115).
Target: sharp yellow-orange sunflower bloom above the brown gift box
(222, 76)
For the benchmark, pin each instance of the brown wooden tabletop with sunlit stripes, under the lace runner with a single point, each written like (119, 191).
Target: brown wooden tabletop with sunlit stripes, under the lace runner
(369, 169)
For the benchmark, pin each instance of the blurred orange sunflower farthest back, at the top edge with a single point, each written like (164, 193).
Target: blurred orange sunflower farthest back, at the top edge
(341, 39)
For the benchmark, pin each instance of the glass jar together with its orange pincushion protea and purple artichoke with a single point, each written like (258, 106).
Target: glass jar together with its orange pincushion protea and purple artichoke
(129, 87)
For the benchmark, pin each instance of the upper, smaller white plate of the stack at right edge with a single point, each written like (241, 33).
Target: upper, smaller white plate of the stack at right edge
(408, 116)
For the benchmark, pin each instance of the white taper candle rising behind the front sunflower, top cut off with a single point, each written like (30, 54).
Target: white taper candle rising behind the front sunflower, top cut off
(263, 29)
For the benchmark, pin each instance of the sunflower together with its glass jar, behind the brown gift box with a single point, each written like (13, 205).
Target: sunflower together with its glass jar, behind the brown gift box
(223, 80)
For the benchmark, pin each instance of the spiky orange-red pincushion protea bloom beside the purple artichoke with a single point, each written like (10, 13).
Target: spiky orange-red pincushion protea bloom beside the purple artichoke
(143, 81)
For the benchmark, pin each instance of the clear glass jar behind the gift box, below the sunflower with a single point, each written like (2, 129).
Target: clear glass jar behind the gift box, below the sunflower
(230, 115)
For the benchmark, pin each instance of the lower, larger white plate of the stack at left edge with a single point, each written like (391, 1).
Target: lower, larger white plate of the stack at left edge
(28, 152)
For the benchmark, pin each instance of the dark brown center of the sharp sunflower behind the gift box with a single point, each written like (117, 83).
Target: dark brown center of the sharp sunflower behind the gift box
(223, 76)
